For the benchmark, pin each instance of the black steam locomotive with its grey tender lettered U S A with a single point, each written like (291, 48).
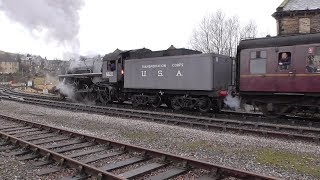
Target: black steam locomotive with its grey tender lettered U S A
(180, 78)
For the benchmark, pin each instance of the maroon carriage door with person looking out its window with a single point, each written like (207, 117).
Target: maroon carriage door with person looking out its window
(285, 70)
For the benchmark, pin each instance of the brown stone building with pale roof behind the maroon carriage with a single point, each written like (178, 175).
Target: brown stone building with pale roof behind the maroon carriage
(298, 17)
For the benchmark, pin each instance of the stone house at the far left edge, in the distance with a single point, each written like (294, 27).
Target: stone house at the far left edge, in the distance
(8, 63)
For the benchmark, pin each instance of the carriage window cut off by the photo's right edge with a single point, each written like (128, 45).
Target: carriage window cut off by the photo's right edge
(313, 60)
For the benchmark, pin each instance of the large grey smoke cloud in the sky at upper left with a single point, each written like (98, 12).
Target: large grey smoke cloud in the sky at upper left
(58, 19)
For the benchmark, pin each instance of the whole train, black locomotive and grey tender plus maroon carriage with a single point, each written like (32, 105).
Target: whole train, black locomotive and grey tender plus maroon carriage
(280, 75)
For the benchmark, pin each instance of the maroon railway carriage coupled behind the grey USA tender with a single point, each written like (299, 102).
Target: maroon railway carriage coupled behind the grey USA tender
(280, 75)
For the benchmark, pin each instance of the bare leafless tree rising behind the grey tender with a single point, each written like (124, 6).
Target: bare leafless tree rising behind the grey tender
(219, 34)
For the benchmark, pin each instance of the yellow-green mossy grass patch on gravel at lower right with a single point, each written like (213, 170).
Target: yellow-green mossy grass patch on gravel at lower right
(305, 164)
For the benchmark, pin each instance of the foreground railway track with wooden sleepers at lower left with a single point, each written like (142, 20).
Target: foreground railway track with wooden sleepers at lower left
(52, 149)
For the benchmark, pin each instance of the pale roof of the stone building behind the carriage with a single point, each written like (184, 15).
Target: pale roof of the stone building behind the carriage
(297, 5)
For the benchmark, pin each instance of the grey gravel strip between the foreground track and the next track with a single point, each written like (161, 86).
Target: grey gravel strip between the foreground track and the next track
(273, 157)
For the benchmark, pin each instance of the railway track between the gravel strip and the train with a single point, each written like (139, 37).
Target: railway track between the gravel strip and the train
(293, 132)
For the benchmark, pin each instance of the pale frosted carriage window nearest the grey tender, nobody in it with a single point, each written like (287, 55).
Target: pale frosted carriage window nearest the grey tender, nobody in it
(258, 62)
